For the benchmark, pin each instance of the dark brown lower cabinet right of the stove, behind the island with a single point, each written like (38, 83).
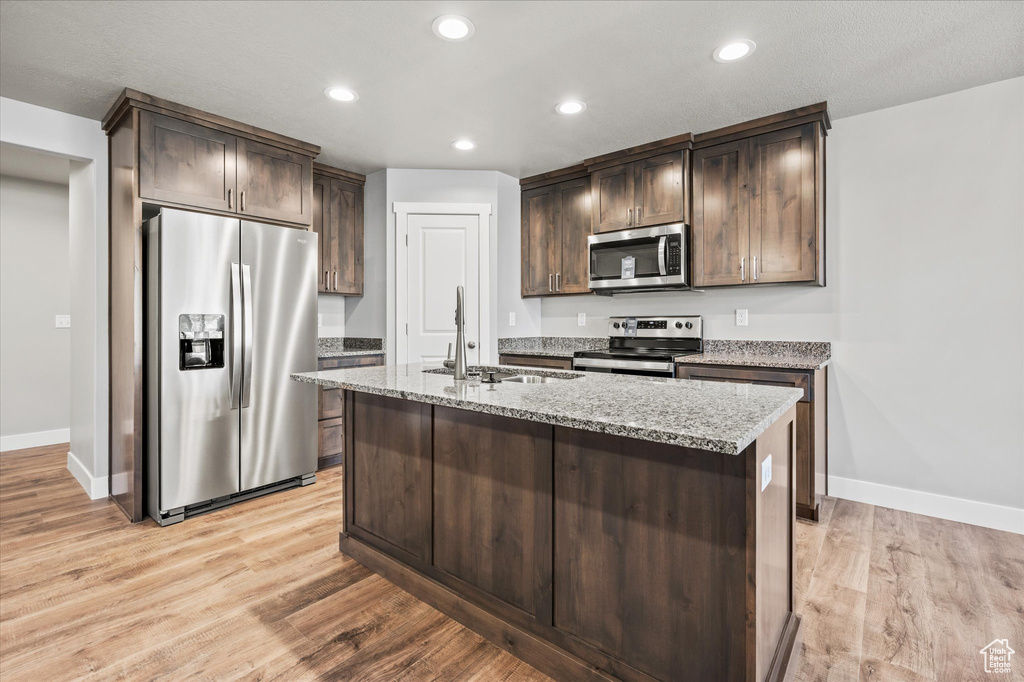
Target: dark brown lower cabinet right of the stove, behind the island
(813, 422)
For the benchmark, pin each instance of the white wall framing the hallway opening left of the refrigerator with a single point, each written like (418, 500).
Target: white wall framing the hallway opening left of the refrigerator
(83, 142)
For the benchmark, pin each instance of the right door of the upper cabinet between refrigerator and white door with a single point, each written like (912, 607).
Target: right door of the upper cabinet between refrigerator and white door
(347, 242)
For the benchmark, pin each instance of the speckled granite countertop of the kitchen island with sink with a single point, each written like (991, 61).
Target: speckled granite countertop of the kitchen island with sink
(717, 417)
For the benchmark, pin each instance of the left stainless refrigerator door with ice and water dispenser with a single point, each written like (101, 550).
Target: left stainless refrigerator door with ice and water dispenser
(198, 447)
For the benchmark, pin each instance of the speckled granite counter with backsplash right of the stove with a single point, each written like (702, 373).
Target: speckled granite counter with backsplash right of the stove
(782, 355)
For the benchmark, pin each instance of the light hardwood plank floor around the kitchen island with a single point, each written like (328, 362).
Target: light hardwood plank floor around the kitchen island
(261, 592)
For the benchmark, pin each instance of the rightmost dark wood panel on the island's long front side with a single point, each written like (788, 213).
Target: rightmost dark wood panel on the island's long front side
(644, 572)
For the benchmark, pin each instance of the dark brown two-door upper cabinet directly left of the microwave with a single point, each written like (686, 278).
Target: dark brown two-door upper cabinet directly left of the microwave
(557, 222)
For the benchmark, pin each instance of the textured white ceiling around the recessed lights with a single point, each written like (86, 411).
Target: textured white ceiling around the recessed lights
(645, 69)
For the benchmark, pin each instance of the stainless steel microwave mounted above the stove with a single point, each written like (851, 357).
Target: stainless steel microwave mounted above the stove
(650, 259)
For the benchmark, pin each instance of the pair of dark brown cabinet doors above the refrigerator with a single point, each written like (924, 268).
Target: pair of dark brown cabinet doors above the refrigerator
(192, 165)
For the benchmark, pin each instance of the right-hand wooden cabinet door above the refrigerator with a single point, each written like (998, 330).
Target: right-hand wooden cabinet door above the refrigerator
(276, 183)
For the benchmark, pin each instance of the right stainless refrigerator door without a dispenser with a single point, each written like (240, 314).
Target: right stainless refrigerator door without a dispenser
(279, 415)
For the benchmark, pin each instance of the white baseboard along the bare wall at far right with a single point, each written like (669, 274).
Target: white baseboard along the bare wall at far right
(929, 504)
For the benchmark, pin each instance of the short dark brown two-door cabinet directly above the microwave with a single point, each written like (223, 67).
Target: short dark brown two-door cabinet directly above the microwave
(648, 192)
